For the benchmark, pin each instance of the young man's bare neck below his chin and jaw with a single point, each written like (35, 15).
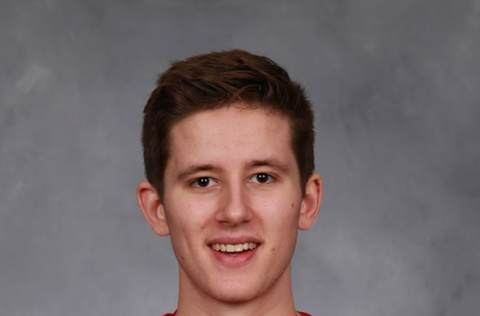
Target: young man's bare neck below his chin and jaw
(277, 300)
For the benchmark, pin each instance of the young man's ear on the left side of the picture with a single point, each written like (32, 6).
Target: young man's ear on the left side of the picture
(152, 208)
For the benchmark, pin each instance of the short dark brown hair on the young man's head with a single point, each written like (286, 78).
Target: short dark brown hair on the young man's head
(215, 80)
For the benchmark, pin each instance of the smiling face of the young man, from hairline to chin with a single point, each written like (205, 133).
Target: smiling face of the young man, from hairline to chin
(232, 178)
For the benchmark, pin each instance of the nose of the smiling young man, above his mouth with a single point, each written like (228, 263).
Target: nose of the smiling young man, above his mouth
(235, 207)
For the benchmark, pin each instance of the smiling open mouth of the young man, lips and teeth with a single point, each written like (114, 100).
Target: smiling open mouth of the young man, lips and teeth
(234, 255)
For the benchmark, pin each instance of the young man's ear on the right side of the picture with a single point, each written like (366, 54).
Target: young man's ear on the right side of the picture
(312, 197)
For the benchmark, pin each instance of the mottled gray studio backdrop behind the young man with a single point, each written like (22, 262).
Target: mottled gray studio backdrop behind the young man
(396, 91)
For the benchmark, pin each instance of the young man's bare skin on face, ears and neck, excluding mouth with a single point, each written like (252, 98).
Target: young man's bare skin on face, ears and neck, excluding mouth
(238, 197)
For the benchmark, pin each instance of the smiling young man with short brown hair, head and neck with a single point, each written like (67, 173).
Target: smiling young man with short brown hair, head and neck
(228, 150)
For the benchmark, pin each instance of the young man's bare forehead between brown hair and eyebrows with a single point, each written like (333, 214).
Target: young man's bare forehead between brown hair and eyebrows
(230, 134)
